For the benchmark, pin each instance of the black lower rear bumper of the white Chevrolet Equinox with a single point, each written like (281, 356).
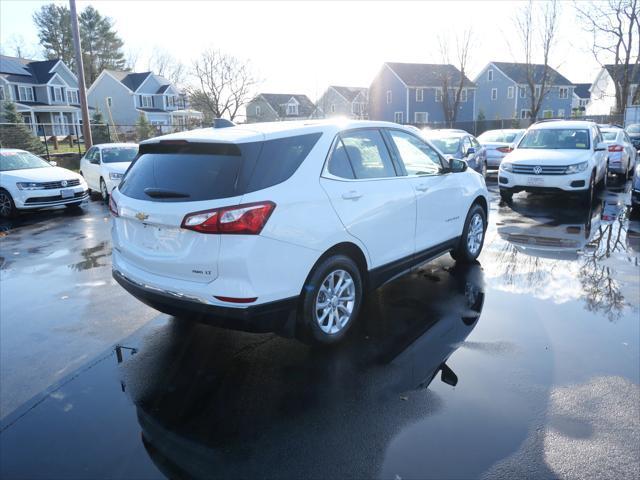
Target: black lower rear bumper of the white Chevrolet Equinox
(266, 317)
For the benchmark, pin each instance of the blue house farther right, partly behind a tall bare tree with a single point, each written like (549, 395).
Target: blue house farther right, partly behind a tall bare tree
(503, 92)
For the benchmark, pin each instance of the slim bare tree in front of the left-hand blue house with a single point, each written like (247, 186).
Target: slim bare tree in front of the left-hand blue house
(452, 82)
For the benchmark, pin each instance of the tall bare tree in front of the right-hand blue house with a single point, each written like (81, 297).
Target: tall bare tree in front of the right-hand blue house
(537, 25)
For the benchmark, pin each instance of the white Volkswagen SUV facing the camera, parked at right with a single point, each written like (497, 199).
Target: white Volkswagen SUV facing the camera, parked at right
(556, 156)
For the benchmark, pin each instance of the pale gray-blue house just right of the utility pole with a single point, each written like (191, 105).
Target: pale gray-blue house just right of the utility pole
(122, 97)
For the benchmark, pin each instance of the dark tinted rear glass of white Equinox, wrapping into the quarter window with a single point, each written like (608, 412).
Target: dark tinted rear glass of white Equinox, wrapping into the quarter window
(188, 172)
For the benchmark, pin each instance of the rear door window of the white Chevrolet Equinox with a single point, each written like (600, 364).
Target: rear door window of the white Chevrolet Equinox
(368, 154)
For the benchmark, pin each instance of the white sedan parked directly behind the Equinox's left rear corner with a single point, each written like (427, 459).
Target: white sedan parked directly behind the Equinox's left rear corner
(103, 165)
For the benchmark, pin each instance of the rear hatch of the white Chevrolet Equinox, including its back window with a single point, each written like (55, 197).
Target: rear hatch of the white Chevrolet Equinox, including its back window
(166, 183)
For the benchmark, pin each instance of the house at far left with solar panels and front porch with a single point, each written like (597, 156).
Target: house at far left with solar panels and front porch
(45, 93)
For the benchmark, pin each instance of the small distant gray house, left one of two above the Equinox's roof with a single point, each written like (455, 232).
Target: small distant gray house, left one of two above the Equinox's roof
(276, 107)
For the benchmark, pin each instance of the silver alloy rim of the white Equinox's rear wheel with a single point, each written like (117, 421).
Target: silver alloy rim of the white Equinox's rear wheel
(335, 302)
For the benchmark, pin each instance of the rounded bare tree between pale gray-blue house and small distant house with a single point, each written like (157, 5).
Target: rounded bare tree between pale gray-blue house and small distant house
(223, 84)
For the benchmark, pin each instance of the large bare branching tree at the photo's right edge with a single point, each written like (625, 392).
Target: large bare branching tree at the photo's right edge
(615, 28)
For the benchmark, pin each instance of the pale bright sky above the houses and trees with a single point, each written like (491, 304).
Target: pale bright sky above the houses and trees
(304, 46)
